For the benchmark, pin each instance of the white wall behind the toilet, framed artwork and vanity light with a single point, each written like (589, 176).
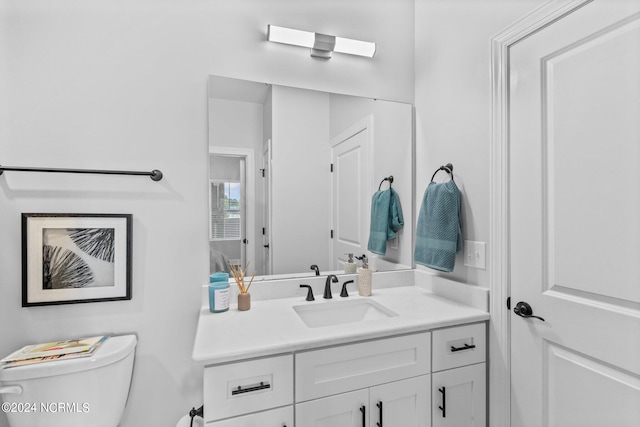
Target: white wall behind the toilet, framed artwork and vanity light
(122, 84)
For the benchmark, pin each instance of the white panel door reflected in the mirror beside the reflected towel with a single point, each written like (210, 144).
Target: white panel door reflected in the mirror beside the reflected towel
(351, 191)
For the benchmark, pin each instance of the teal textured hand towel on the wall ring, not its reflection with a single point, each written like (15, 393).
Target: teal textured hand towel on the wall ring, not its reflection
(438, 233)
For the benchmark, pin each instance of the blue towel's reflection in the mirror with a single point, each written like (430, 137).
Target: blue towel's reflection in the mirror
(386, 220)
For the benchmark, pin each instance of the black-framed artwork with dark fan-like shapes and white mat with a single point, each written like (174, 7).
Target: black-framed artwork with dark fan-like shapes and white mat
(75, 258)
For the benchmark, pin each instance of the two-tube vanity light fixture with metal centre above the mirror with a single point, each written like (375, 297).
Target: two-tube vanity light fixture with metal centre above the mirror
(321, 45)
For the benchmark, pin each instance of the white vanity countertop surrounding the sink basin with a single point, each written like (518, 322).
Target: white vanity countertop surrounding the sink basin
(273, 326)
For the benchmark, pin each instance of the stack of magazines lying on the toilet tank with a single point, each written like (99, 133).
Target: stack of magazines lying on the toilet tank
(52, 351)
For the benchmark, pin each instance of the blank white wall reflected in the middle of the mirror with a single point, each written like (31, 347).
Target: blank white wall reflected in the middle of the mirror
(300, 131)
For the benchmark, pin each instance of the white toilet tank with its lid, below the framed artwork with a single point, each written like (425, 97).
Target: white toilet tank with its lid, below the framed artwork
(87, 391)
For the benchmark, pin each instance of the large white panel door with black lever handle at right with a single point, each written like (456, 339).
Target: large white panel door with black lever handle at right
(574, 179)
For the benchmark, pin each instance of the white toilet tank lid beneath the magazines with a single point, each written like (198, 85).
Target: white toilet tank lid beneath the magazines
(111, 351)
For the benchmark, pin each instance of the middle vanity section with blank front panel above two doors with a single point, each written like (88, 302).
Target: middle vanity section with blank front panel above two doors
(372, 383)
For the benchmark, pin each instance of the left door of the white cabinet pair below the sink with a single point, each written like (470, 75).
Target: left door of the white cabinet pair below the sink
(342, 410)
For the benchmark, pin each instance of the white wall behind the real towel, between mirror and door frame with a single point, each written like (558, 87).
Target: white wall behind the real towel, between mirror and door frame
(453, 104)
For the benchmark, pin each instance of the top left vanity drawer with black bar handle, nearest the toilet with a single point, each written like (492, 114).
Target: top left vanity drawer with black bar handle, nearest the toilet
(239, 388)
